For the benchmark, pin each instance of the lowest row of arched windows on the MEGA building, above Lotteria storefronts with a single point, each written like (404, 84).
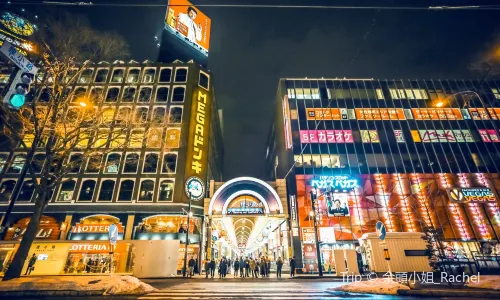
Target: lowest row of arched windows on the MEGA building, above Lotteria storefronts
(109, 189)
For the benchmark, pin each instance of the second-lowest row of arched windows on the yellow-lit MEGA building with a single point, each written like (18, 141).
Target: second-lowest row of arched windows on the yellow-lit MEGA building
(112, 163)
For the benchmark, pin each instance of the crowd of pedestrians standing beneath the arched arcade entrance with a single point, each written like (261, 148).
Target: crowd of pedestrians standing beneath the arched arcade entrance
(246, 266)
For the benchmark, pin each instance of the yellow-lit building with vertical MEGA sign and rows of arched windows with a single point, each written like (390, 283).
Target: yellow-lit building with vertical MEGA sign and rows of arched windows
(140, 186)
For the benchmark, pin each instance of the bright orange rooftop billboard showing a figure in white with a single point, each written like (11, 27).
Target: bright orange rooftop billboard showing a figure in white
(188, 23)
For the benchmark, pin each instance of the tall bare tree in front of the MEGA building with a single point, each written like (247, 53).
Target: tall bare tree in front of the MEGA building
(56, 121)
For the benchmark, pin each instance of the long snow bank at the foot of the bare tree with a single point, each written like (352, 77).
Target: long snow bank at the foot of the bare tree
(109, 285)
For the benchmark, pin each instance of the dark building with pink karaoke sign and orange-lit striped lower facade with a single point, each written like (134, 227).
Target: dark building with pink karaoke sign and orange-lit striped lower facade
(412, 154)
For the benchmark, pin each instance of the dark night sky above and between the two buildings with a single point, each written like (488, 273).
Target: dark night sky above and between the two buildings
(251, 48)
